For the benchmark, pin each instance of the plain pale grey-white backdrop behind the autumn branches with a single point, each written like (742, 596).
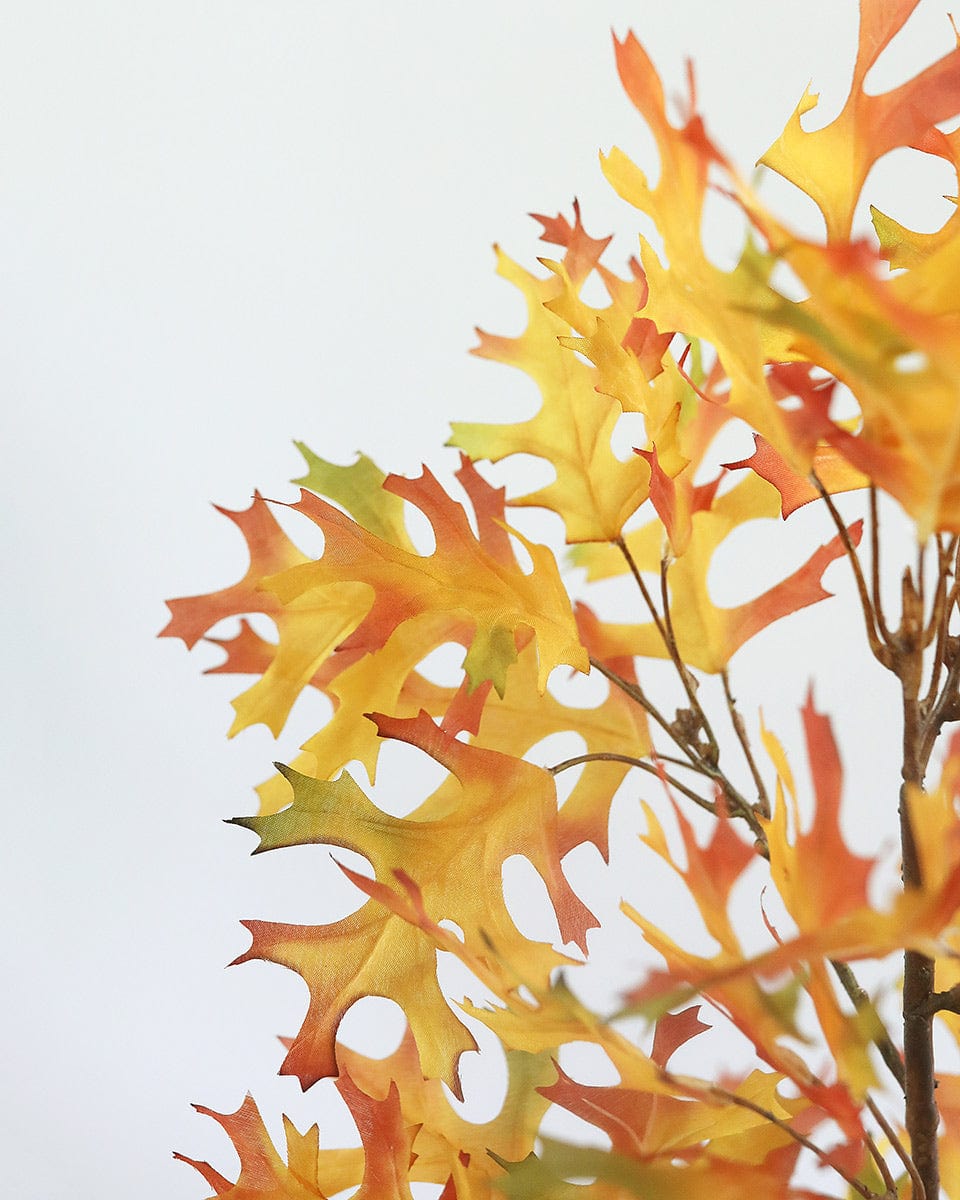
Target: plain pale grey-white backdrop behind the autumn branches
(225, 226)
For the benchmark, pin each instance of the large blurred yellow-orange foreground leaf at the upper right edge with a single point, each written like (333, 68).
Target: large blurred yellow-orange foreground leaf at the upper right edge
(895, 341)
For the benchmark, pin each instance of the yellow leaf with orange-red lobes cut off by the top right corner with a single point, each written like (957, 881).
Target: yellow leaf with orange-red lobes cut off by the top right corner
(832, 164)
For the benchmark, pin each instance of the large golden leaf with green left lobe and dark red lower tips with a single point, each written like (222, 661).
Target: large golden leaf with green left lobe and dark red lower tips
(457, 844)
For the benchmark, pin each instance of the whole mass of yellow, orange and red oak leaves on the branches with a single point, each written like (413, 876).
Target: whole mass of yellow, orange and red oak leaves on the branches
(691, 349)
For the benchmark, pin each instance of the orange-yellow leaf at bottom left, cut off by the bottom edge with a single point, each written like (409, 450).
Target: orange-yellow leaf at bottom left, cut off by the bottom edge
(263, 1173)
